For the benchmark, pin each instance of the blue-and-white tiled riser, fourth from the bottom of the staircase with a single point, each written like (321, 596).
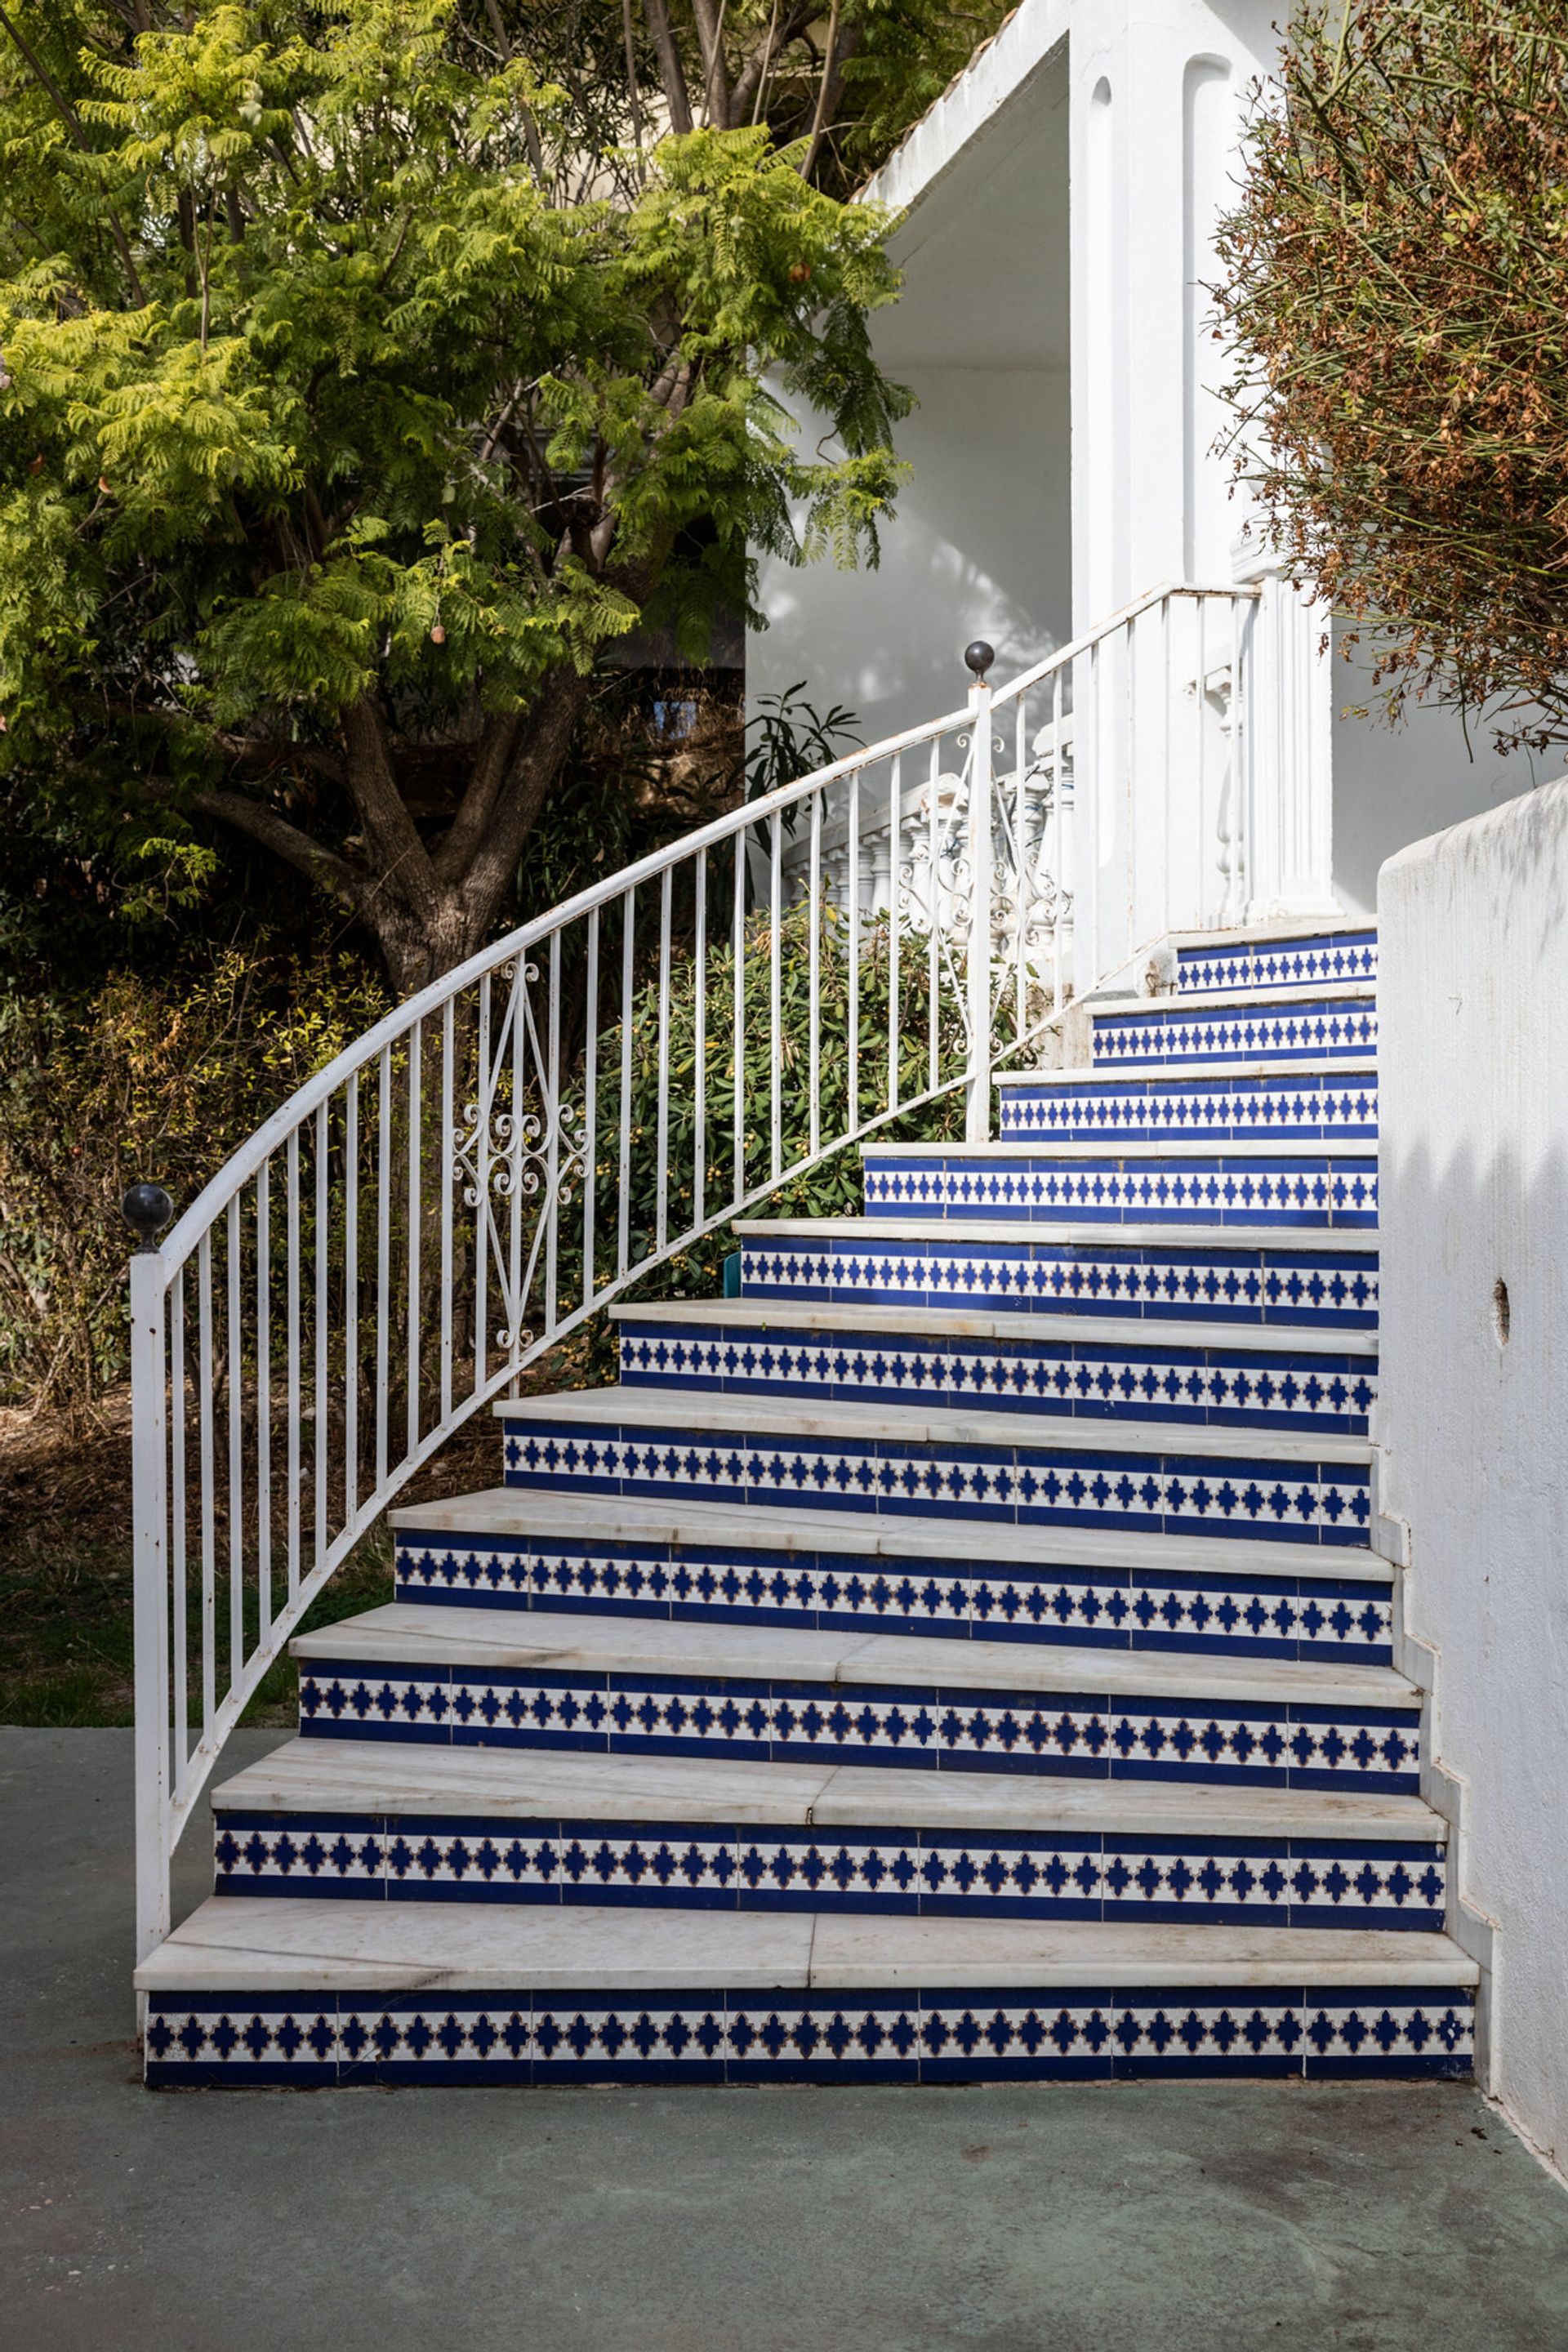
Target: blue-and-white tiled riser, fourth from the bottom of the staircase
(1273, 1617)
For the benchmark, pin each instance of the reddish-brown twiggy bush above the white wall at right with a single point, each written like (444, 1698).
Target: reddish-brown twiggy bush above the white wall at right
(1395, 290)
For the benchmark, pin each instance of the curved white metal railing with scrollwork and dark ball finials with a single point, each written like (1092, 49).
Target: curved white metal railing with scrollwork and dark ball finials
(554, 1121)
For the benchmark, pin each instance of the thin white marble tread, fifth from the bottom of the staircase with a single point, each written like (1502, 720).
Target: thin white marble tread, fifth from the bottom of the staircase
(916, 1424)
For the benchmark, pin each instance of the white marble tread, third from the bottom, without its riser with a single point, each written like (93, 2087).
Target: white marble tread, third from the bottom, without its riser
(572, 1643)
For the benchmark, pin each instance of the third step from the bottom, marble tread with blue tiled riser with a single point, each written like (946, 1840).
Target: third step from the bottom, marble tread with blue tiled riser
(636, 1685)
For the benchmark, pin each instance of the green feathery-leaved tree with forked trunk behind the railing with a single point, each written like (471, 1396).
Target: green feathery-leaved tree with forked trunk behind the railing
(370, 368)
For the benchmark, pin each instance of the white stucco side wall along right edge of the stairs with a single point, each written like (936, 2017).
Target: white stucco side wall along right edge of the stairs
(1475, 1189)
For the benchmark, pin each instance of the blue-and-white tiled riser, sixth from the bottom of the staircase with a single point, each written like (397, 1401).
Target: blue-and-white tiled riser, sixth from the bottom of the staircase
(1200, 1387)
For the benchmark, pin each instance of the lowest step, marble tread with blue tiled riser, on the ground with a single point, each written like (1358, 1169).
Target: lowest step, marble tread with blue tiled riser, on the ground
(321, 1993)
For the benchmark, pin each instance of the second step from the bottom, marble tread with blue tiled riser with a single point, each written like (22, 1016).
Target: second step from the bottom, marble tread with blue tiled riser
(387, 1822)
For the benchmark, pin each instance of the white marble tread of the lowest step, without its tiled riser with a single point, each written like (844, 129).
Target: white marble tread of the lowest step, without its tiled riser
(293, 1944)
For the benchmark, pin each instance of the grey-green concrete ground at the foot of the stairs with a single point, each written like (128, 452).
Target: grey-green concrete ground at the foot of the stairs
(1059, 2219)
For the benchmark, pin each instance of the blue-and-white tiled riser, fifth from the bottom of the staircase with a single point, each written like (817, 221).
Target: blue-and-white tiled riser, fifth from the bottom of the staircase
(1028, 1485)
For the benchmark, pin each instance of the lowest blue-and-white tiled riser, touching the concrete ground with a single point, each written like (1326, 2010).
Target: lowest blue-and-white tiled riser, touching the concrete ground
(904, 2036)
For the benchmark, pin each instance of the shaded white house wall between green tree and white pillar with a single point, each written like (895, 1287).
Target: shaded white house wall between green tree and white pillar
(981, 335)
